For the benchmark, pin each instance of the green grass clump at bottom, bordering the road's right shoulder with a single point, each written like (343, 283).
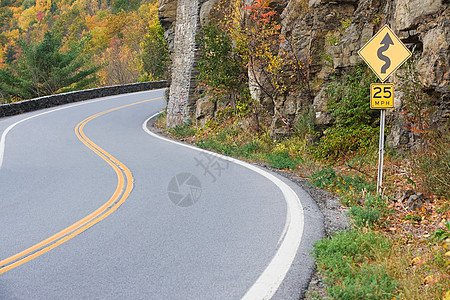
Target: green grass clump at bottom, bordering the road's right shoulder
(347, 262)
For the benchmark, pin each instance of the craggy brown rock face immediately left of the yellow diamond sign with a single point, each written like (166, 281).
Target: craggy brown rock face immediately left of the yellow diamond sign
(319, 35)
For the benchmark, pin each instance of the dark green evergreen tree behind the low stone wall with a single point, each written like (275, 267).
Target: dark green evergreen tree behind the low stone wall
(42, 69)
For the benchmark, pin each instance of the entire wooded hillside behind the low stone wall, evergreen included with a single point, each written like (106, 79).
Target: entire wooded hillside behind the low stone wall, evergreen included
(49, 47)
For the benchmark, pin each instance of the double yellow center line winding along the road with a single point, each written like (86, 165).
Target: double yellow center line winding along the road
(123, 190)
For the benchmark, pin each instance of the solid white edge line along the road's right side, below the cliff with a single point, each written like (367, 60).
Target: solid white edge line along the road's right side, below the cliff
(272, 277)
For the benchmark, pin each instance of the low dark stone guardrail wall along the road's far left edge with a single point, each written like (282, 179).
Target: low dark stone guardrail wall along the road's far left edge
(16, 108)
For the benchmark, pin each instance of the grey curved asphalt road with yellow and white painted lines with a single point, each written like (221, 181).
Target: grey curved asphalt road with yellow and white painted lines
(231, 238)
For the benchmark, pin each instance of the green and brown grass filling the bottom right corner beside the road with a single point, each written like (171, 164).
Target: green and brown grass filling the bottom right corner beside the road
(364, 264)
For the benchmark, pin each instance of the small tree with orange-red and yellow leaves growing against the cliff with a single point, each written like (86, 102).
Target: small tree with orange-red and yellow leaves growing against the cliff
(275, 67)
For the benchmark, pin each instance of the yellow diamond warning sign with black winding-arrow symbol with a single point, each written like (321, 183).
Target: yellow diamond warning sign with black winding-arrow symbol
(384, 53)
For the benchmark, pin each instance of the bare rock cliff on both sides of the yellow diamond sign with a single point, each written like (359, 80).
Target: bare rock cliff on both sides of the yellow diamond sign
(421, 24)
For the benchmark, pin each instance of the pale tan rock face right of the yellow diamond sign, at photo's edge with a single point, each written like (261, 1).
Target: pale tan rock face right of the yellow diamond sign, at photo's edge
(423, 25)
